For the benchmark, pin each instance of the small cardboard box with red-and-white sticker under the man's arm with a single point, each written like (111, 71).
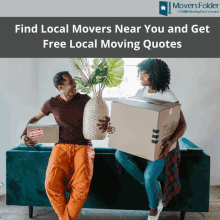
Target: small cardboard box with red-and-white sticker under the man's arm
(43, 133)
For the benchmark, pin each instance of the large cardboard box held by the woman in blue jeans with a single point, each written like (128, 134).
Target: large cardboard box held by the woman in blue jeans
(142, 125)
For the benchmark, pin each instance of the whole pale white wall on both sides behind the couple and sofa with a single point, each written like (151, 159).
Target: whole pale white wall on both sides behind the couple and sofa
(25, 84)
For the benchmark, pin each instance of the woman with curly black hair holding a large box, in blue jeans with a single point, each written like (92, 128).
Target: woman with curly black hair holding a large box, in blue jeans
(155, 77)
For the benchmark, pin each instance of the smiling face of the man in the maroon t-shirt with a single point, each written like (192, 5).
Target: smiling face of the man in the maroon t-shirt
(69, 85)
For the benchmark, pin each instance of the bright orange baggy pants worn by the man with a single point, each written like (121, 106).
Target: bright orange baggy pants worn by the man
(70, 168)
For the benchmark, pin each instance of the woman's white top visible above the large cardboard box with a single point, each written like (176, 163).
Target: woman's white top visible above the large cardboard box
(167, 95)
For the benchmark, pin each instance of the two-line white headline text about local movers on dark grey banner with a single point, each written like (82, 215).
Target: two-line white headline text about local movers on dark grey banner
(107, 43)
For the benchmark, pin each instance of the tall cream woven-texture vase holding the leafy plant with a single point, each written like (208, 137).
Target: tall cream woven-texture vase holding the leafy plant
(95, 109)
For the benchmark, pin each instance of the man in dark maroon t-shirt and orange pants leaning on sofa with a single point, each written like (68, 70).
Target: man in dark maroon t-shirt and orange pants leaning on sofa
(70, 164)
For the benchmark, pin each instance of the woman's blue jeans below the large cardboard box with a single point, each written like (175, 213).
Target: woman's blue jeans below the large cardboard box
(148, 178)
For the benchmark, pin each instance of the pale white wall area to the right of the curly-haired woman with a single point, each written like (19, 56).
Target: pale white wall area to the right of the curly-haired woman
(196, 83)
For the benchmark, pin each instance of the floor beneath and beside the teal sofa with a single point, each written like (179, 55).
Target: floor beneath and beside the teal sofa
(21, 213)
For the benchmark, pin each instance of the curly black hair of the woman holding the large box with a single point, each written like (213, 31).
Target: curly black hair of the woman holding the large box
(159, 73)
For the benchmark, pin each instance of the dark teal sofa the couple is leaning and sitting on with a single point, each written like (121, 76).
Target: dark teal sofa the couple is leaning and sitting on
(111, 187)
